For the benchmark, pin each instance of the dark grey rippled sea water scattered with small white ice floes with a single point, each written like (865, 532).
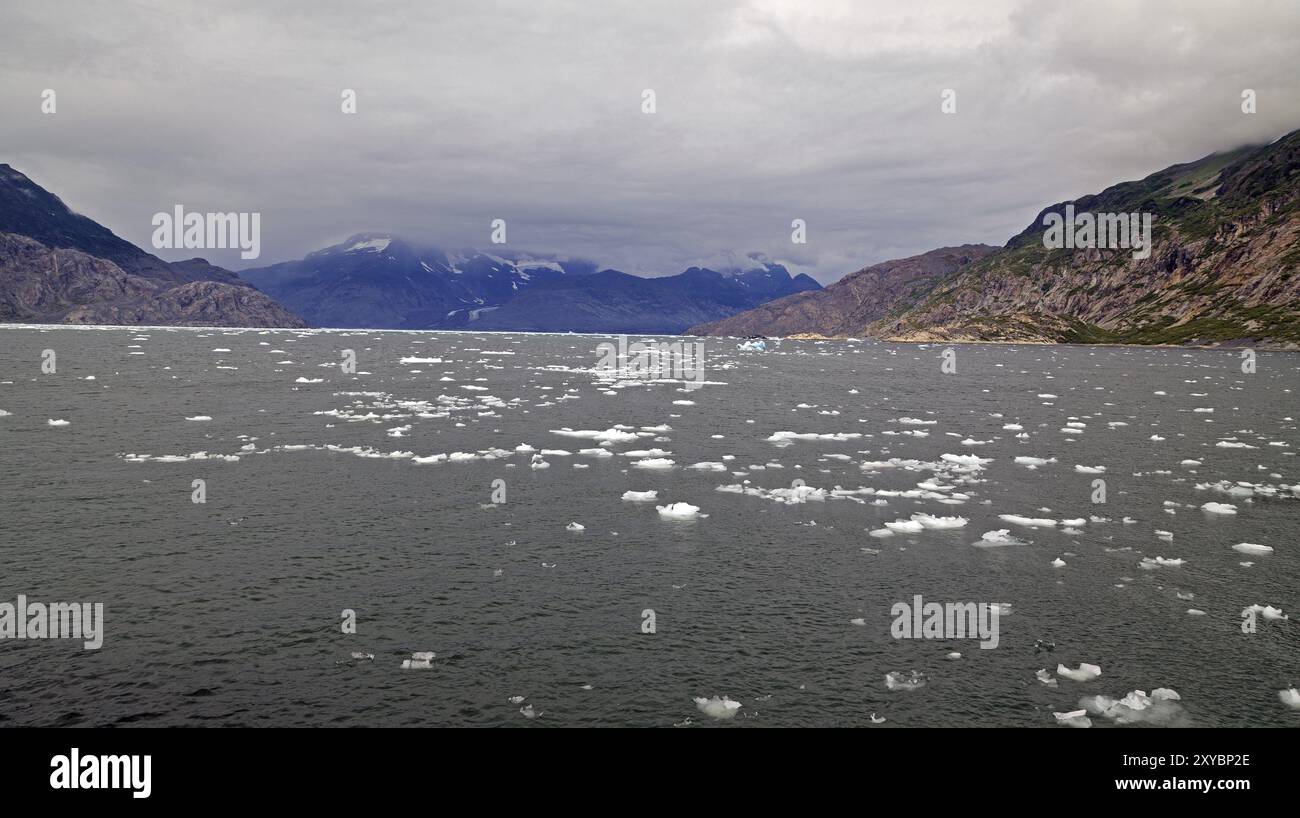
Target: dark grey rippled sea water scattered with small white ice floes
(231, 612)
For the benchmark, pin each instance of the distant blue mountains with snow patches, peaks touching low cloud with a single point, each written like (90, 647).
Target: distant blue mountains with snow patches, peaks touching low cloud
(379, 280)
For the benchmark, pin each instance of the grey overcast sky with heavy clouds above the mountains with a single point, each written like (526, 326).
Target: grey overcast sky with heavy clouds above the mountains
(532, 112)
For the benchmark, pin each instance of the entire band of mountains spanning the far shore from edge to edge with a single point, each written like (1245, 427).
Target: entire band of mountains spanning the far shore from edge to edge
(1223, 267)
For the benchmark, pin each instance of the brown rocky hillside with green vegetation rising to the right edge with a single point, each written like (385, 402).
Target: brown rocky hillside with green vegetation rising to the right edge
(1224, 267)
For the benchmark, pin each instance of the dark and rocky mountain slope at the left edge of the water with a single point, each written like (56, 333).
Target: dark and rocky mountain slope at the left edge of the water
(60, 267)
